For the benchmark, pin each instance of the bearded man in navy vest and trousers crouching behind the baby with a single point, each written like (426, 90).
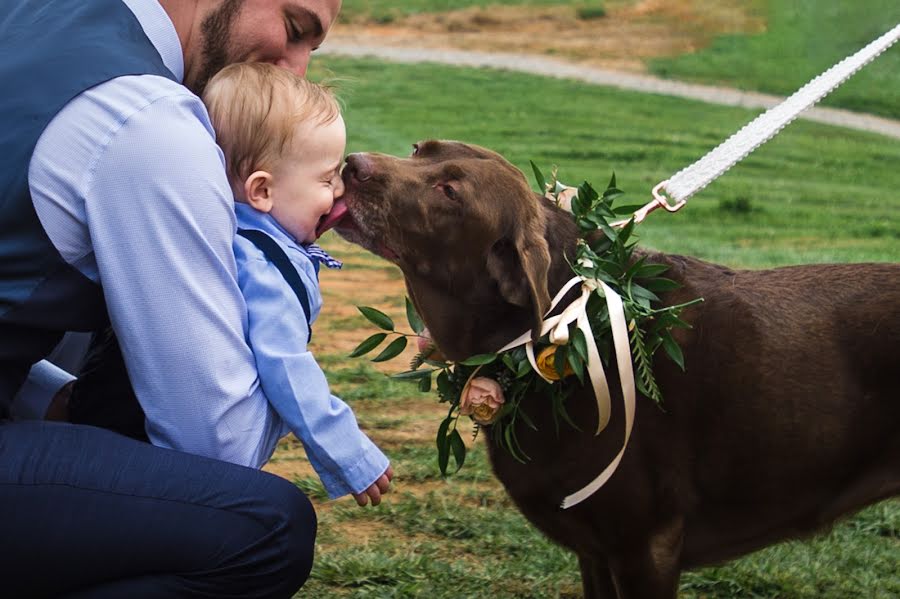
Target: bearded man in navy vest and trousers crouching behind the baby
(114, 204)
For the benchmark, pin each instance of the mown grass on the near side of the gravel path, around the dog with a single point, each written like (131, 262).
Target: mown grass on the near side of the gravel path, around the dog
(815, 194)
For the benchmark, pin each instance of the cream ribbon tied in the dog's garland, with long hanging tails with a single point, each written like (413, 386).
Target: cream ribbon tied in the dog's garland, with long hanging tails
(558, 327)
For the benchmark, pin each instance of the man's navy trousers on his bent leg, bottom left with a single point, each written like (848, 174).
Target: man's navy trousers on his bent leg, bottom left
(85, 512)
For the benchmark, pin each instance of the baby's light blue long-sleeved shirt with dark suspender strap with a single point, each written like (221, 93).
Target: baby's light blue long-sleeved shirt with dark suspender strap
(342, 455)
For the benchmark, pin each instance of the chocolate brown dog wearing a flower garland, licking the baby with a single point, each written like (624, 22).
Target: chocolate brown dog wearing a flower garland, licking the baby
(787, 417)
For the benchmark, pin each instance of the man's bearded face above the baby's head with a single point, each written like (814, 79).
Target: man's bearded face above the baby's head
(282, 32)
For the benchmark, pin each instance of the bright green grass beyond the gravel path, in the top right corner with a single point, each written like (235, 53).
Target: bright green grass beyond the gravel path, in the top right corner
(802, 39)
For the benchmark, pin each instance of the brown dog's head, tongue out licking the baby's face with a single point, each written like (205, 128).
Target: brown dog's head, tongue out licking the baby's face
(461, 223)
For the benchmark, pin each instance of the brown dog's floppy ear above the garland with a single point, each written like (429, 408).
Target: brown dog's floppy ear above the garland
(520, 265)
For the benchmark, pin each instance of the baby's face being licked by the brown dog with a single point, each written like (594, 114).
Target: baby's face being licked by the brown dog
(307, 179)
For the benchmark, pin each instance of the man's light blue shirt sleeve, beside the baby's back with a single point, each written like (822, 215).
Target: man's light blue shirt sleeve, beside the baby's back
(160, 216)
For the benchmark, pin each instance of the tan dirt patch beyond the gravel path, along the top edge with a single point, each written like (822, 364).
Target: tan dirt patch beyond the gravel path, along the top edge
(628, 34)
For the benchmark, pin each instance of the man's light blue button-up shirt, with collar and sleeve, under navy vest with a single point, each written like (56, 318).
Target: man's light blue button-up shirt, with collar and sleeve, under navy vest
(131, 188)
